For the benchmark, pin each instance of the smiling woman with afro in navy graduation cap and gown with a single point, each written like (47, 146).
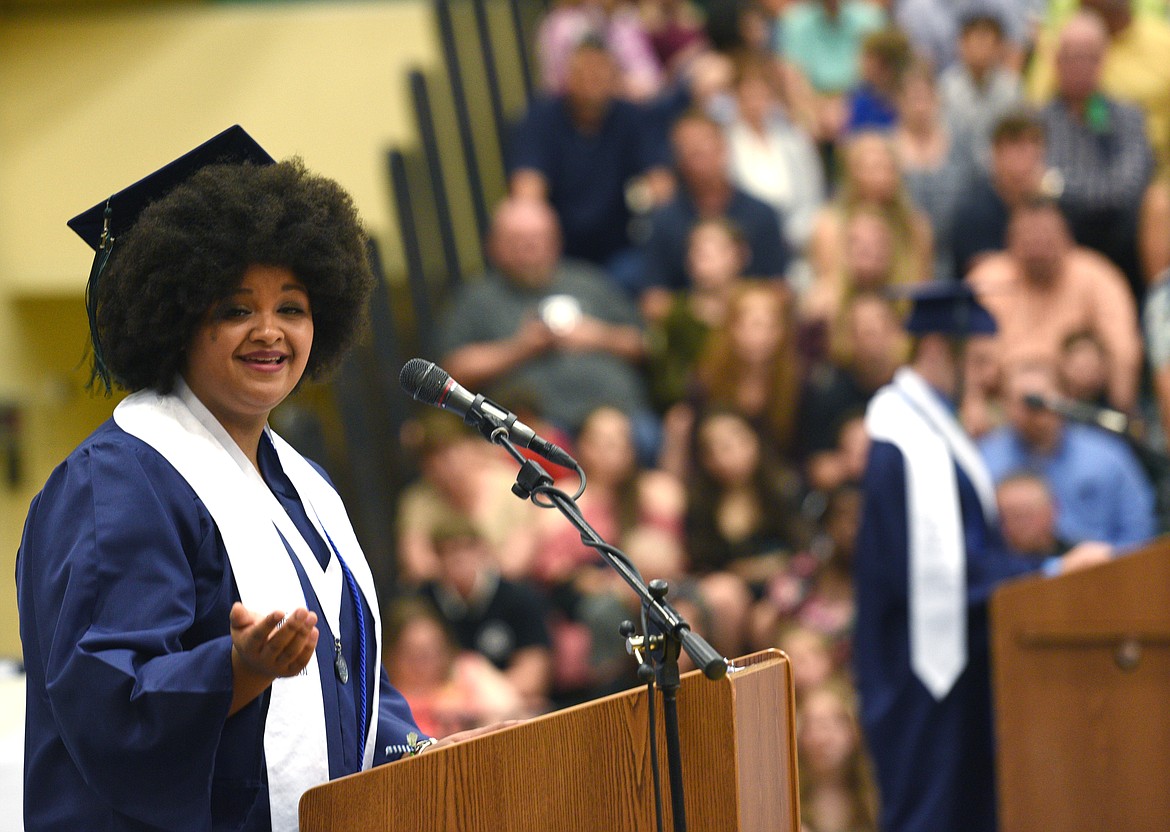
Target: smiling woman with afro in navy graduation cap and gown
(199, 624)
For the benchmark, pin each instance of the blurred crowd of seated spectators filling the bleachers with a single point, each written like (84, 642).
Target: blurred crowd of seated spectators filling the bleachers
(694, 286)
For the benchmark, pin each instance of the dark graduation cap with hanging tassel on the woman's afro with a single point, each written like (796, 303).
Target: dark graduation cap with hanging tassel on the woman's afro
(104, 224)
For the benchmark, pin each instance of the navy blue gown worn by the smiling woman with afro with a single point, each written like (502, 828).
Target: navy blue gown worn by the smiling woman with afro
(125, 590)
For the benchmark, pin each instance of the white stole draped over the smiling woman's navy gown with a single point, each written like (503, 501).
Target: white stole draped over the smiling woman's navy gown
(252, 522)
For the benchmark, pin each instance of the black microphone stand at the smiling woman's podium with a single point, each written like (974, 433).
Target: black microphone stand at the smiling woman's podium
(671, 632)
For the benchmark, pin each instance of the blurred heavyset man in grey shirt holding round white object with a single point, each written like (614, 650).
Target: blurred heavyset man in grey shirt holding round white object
(556, 325)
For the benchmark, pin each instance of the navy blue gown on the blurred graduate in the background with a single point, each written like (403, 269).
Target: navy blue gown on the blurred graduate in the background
(934, 760)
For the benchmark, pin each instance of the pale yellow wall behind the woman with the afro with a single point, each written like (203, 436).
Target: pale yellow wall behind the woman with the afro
(92, 101)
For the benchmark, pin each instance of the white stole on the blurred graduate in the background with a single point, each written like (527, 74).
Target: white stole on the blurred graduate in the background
(910, 415)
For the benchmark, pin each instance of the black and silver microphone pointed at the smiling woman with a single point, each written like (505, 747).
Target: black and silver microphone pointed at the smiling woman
(430, 384)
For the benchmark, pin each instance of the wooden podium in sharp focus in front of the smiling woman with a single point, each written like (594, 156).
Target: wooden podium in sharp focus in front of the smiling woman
(588, 768)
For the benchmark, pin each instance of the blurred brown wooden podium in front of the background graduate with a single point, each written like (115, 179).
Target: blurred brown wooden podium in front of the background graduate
(1082, 673)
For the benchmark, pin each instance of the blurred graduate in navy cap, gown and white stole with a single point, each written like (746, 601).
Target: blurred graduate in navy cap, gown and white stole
(930, 554)
